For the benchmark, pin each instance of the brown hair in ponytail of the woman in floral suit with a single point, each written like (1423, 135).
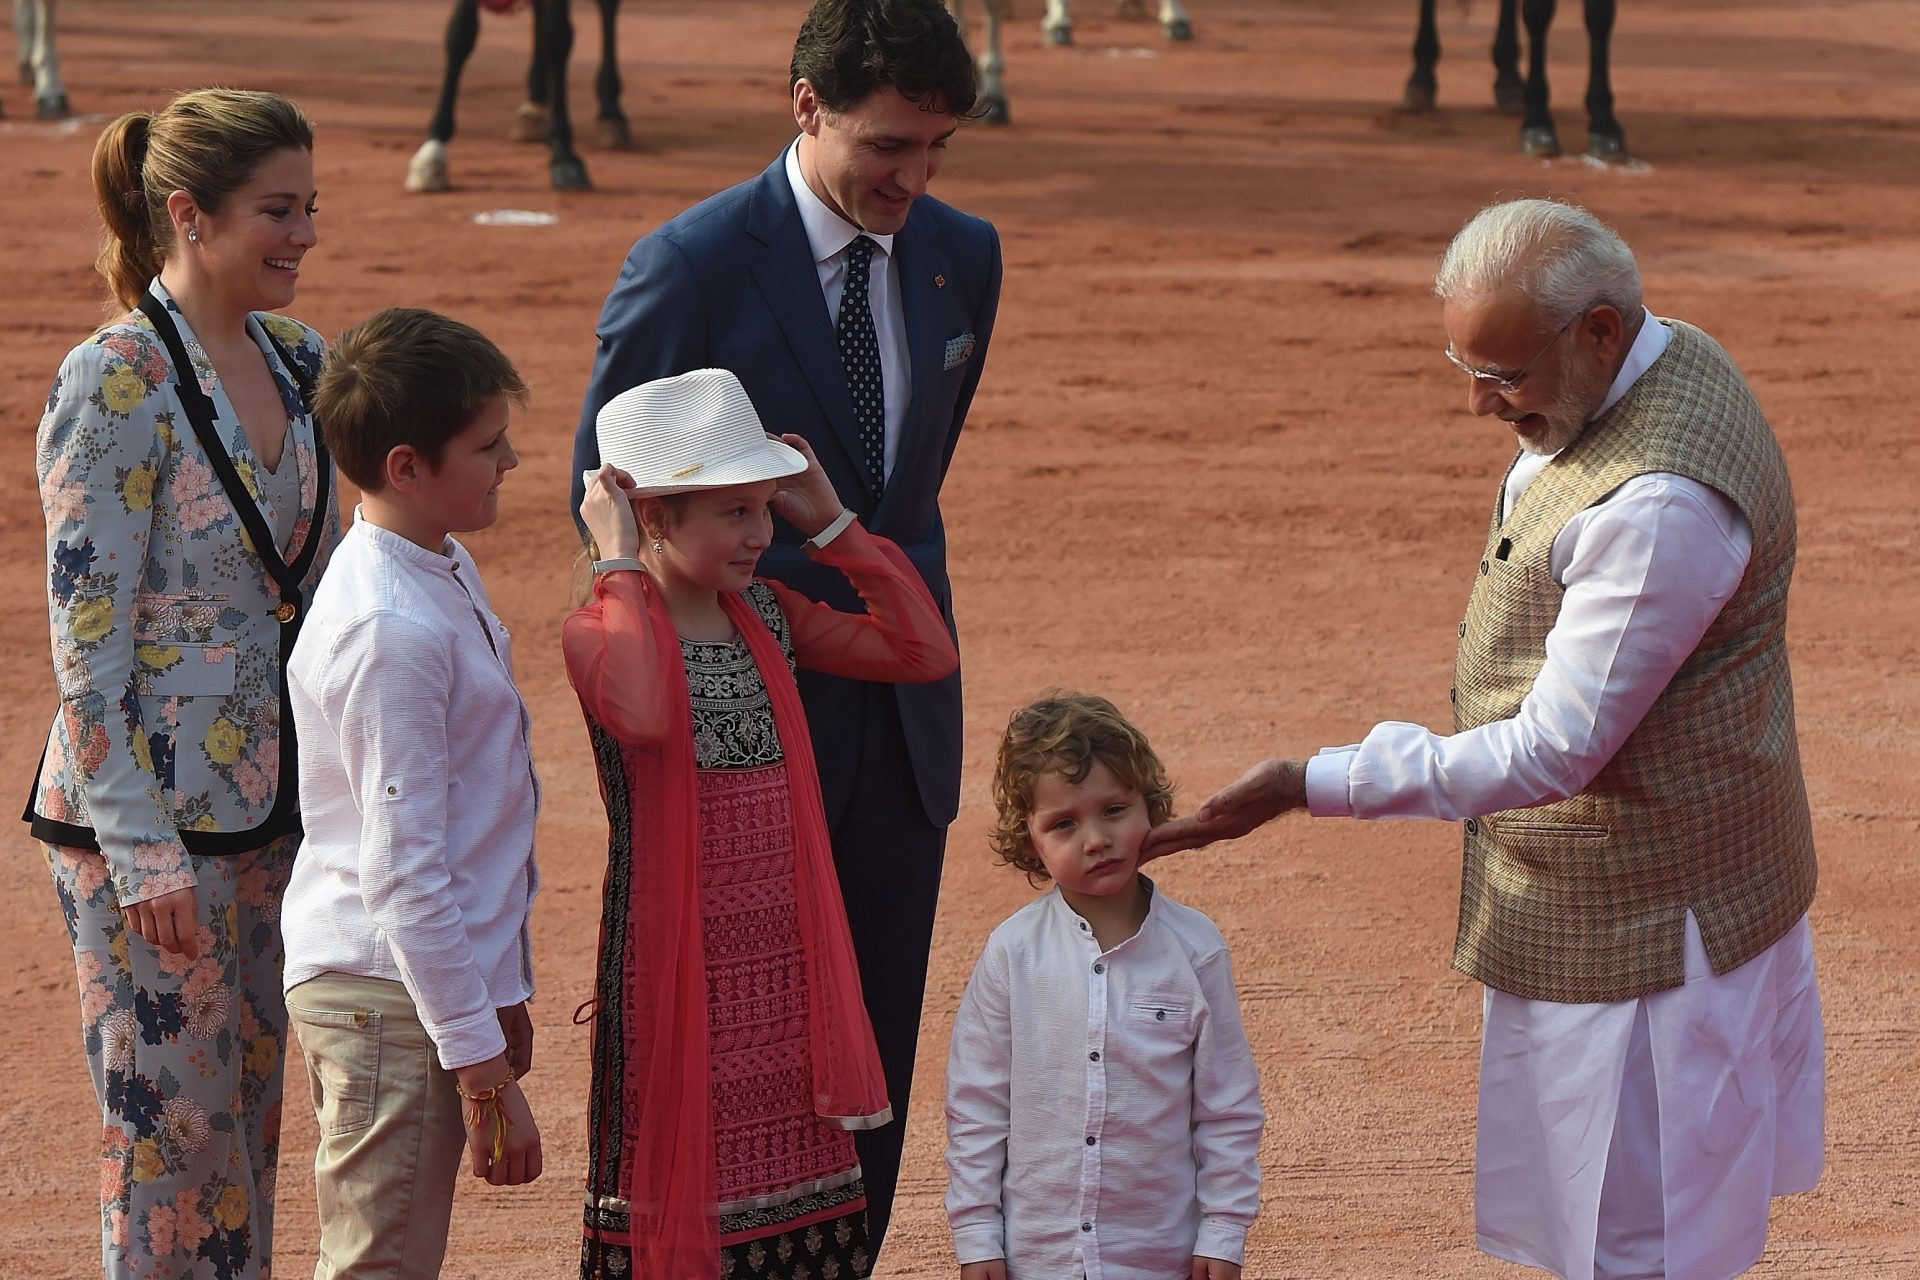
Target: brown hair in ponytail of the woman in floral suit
(208, 145)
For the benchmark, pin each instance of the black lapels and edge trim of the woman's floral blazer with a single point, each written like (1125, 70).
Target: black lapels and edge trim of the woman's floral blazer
(287, 577)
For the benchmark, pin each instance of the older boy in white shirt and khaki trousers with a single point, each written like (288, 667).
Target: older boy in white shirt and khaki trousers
(408, 966)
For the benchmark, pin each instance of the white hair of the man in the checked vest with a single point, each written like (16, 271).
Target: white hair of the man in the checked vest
(1560, 256)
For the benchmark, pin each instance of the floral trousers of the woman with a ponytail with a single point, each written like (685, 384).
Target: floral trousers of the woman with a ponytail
(187, 1068)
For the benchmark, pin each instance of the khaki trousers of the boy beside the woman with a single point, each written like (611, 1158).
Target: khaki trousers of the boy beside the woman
(391, 1129)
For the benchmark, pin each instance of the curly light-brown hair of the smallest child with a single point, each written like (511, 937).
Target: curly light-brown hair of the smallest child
(1068, 734)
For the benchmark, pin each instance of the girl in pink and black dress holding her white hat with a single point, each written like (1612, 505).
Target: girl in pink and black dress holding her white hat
(732, 1055)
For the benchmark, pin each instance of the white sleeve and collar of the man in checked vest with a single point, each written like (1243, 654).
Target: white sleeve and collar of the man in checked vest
(1646, 573)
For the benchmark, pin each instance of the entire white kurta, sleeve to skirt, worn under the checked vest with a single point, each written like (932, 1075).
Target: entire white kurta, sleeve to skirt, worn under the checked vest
(1687, 1110)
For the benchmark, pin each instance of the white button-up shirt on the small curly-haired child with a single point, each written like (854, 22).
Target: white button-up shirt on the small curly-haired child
(1103, 1106)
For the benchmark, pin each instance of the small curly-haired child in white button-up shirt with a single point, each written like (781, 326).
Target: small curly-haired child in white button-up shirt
(1103, 1106)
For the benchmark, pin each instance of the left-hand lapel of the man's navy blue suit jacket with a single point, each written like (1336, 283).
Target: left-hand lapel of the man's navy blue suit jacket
(786, 277)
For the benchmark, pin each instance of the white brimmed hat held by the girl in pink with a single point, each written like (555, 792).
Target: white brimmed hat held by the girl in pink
(690, 433)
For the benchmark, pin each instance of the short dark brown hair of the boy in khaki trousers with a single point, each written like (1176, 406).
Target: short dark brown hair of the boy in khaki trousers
(406, 377)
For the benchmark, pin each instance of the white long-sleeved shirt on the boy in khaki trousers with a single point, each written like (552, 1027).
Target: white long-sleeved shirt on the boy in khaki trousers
(418, 792)
